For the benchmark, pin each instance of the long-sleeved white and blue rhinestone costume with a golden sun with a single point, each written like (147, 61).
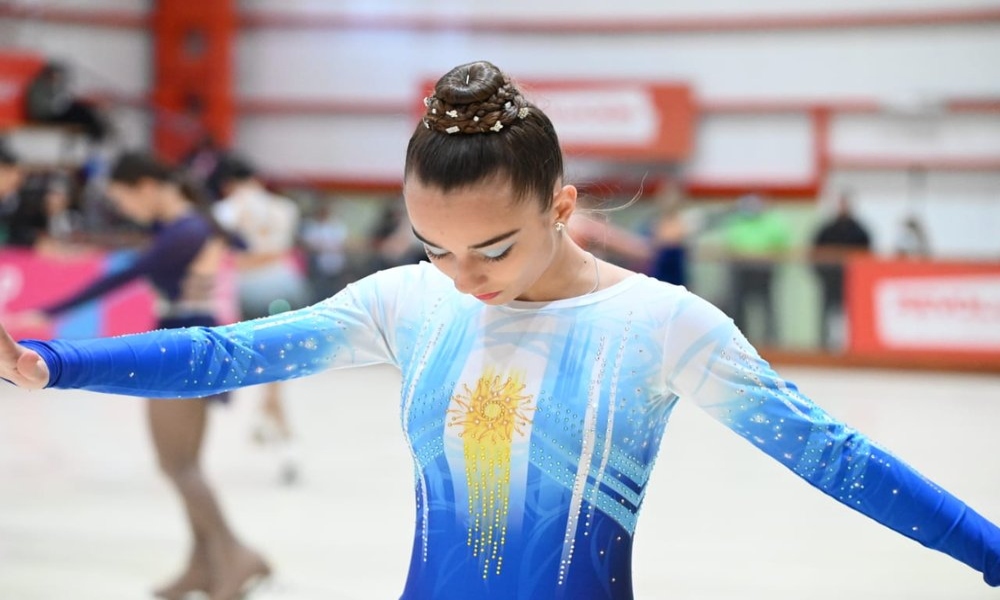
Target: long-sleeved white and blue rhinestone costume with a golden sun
(534, 426)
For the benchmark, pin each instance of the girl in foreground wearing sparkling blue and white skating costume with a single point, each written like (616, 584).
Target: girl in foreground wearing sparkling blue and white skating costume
(536, 380)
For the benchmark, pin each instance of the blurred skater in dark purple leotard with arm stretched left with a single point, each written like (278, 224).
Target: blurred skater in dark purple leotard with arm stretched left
(181, 263)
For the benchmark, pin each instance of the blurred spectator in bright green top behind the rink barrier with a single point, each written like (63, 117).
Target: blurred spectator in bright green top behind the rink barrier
(755, 238)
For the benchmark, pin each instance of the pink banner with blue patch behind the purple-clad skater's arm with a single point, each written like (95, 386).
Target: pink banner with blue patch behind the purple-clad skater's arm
(29, 280)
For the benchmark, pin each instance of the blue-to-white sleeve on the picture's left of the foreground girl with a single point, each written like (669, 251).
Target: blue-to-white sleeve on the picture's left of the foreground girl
(201, 361)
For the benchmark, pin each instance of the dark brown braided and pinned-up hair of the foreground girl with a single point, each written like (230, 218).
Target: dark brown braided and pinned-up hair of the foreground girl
(478, 125)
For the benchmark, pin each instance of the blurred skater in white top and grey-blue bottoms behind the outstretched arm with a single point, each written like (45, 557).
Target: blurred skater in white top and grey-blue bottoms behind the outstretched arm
(269, 280)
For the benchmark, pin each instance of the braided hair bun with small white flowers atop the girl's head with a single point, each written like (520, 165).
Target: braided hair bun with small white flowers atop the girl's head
(474, 98)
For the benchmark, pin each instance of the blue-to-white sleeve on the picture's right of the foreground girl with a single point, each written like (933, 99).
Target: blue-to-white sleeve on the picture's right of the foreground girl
(714, 365)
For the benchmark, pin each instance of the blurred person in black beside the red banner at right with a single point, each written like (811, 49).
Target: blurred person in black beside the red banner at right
(835, 240)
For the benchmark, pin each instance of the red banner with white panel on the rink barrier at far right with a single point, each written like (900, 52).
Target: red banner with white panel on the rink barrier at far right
(921, 308)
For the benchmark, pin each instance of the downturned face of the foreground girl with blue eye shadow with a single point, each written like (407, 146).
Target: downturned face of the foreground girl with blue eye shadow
(494, 246)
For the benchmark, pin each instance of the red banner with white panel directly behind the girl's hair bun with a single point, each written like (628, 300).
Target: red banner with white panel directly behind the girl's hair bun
(608, 119)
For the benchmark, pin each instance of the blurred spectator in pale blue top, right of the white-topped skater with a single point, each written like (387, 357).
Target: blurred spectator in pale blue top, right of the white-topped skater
(324, 237)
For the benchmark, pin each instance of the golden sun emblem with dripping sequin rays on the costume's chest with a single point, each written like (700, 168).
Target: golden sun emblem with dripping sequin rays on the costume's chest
(489, 416)
